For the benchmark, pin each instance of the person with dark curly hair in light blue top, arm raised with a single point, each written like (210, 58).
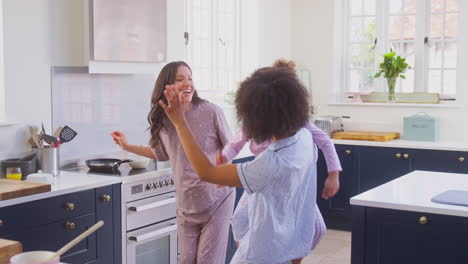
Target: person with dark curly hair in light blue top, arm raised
(273, 105)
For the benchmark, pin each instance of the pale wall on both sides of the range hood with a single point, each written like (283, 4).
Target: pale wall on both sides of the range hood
(39, 34)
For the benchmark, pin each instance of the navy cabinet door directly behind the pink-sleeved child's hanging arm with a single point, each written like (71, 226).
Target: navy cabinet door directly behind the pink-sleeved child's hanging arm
(337, 210)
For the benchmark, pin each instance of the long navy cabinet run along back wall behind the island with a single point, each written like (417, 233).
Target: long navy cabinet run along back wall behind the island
(367, 167)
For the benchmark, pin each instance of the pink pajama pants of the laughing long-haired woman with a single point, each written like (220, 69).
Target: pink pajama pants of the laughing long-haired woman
(203, 237)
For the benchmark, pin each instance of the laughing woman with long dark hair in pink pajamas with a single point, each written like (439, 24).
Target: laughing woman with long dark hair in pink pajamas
(203, 210)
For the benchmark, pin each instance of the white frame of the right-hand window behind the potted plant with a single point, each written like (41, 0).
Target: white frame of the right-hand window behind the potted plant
(343, 43)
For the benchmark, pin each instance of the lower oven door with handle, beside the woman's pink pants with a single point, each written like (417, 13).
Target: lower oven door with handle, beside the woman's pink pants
(153, 244)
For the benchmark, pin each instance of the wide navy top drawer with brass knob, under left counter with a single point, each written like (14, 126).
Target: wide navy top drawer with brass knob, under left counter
(19, 217)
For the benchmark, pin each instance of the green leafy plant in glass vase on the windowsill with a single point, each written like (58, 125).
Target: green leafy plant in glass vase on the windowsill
(392, 67)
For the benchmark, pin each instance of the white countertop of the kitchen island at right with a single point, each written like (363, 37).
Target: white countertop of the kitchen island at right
(413, 192)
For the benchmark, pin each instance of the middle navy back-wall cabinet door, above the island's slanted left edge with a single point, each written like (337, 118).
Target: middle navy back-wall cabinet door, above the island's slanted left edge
(377, 165)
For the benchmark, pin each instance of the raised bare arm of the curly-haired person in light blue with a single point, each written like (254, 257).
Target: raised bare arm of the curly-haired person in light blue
(224, 174)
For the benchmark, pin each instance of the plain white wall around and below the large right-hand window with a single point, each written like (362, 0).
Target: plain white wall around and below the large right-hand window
(312, 46)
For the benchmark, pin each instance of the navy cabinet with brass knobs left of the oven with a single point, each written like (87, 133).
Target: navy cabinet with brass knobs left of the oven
(50, 223)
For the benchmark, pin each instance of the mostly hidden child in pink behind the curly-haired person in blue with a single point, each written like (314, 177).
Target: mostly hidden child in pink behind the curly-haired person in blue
(331, 185)
